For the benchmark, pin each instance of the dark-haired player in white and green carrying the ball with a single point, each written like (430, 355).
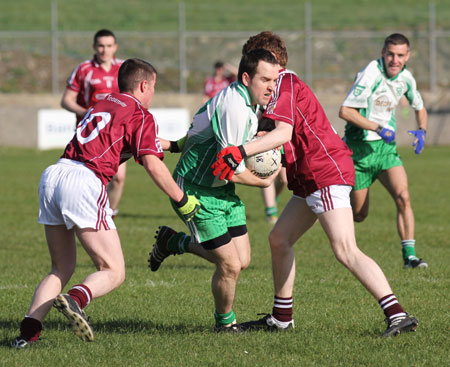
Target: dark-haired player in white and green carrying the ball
(219, 232)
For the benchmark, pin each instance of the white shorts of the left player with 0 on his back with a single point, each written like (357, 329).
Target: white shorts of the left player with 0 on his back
(71, 194)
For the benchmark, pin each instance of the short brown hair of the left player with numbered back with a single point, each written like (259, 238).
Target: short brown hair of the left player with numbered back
(132, 72)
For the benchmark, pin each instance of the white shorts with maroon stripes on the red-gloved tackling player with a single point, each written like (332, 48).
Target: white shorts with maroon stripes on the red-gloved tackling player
(329, 198)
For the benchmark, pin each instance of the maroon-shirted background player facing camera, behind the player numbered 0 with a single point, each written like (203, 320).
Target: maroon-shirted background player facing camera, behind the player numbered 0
(90, 82)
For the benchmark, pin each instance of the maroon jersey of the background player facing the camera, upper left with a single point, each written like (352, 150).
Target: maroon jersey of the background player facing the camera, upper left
(92, 82)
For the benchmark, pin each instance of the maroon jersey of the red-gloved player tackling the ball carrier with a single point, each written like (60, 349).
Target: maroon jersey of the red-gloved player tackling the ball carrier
(316, 156)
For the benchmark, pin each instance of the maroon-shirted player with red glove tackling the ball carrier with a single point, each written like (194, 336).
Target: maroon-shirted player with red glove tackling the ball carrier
(321, 175)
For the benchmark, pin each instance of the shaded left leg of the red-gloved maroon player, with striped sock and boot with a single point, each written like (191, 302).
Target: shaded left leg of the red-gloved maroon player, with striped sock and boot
(294, 221)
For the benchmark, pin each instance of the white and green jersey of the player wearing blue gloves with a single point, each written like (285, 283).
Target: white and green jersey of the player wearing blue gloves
(376, 96)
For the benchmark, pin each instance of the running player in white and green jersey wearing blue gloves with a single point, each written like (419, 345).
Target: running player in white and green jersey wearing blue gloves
(369, 110)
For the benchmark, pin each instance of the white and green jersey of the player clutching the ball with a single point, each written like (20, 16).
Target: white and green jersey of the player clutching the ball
(226, 119)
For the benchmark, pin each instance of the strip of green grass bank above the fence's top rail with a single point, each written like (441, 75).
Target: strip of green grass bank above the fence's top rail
(222, 15)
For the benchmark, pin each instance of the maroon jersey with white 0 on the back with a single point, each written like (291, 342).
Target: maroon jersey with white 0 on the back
(112, 131)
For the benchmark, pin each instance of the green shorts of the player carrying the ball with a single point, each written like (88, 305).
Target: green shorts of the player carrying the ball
(221, 209)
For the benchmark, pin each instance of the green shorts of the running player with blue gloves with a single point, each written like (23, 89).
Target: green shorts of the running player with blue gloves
(370, 158)
